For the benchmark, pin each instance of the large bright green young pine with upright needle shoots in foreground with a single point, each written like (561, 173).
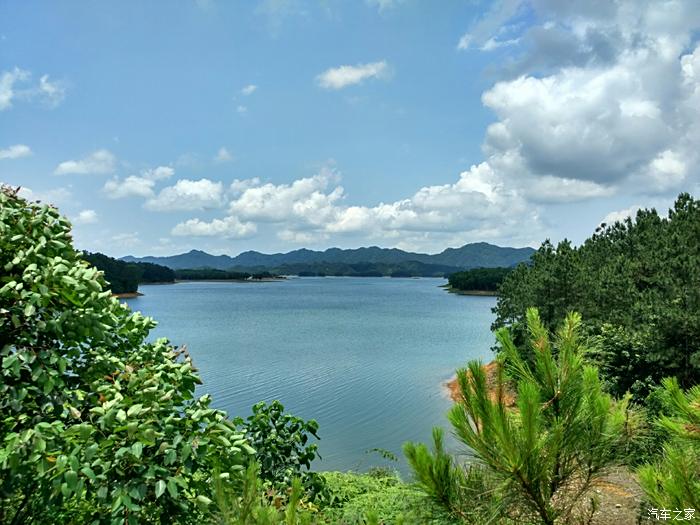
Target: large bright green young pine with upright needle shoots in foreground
(564, 433)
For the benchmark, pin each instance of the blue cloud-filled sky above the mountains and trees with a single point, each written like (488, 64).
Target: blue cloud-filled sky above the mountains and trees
(159, 127)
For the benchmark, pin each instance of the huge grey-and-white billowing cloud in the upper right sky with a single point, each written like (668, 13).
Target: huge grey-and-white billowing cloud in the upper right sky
(606, 98)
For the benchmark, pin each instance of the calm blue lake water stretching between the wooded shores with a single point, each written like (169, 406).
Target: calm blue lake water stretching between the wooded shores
(366, 357)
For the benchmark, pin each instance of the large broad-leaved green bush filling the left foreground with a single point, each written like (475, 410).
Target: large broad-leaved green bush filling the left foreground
(96, 424)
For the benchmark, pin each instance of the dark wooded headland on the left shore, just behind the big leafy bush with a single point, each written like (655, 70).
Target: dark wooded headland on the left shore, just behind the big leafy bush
(125, 277)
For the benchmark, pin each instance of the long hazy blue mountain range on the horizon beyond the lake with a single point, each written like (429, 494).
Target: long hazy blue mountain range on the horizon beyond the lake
(475, 255)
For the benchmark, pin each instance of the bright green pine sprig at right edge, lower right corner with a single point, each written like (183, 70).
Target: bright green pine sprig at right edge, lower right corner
(674, 481)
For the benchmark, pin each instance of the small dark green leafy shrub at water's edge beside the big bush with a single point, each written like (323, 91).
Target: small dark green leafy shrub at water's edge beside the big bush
(282, 447)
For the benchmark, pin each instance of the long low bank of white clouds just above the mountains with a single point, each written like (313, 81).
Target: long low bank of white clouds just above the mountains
(314, 208)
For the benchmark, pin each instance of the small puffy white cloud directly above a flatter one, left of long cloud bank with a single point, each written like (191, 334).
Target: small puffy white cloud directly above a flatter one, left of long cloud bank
(188, 195)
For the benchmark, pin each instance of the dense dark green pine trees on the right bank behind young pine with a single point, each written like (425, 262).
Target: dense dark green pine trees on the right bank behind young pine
(637, 285)
